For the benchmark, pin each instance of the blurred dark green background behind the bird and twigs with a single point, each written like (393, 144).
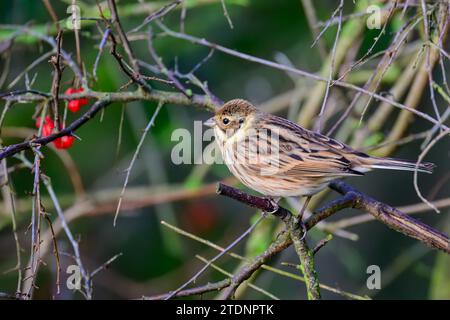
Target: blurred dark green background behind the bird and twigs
(154, 258)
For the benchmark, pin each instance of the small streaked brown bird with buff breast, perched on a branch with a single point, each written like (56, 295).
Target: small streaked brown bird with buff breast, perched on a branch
(304, 163)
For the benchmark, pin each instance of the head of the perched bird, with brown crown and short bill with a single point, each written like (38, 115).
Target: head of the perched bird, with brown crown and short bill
(233, 117)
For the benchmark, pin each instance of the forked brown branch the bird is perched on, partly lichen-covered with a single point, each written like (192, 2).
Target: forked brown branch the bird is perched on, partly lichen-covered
(351, 198)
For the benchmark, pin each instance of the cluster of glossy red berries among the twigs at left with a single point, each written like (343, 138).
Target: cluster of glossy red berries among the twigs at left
(64, 142)
